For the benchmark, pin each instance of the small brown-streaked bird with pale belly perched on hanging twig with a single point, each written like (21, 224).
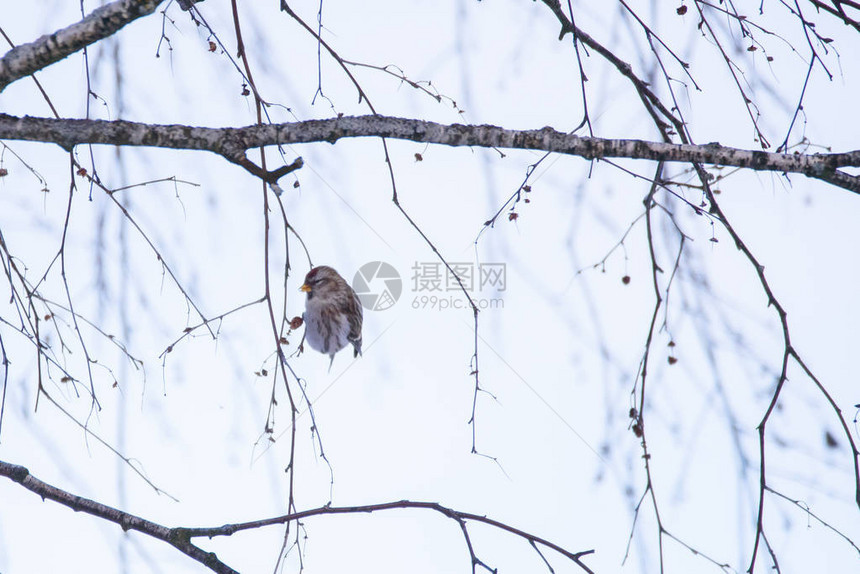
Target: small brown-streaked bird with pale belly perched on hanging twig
(333, 313)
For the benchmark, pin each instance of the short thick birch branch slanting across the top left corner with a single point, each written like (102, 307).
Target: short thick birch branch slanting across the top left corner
(105, 21)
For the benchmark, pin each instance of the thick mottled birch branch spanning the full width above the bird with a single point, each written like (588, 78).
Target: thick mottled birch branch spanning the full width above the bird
(232, 143)
